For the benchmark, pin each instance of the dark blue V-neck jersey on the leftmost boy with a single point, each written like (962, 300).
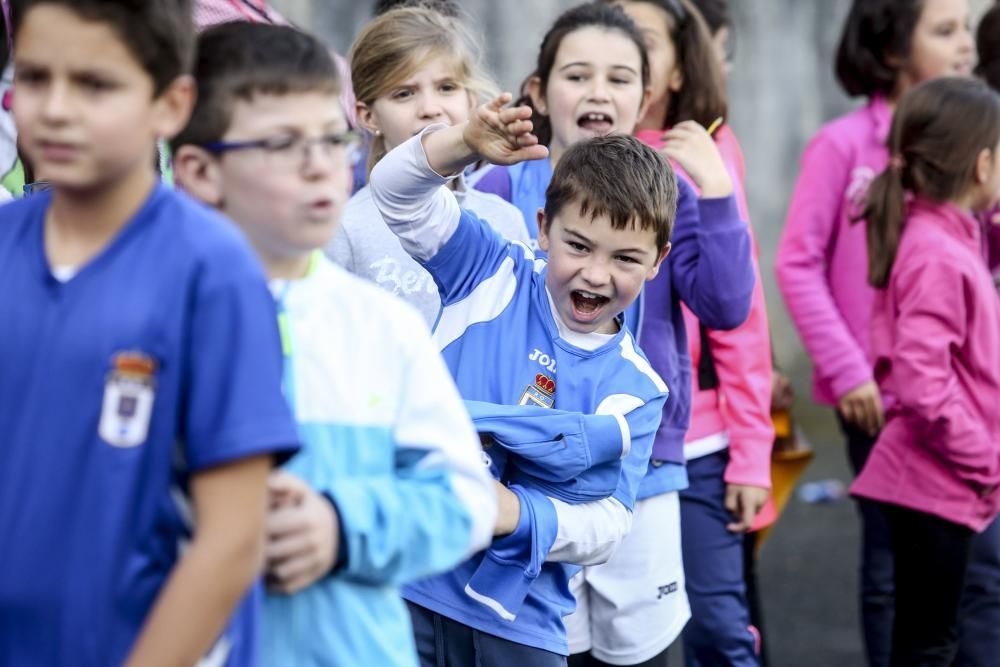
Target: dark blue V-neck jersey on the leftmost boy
(158, 359)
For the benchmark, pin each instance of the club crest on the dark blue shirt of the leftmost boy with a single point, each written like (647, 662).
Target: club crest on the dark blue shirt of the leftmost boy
(127, 407)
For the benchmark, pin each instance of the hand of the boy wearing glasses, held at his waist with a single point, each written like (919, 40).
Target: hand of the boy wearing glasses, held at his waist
(302, 535)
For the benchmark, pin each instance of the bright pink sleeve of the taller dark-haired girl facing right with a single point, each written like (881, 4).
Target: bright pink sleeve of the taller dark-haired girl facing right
(801, 267)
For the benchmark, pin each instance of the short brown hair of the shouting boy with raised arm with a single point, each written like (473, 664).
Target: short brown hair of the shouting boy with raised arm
(620, 177)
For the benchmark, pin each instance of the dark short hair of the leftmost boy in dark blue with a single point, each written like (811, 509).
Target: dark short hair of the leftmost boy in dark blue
(158, 33)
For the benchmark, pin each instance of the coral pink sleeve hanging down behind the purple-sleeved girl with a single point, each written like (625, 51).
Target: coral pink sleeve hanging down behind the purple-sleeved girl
(742, 359)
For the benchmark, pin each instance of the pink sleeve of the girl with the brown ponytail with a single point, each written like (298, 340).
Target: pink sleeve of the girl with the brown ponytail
(931, 325)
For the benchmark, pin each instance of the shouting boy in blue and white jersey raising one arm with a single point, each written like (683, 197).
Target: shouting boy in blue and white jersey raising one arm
(517, 330)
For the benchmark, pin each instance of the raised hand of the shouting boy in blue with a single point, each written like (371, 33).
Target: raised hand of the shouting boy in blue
(503, 135)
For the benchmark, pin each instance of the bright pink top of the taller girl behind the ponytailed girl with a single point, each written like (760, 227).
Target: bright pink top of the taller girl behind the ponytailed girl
(822, 260)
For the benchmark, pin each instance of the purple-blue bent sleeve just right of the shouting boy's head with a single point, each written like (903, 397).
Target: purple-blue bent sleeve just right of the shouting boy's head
(711, 262)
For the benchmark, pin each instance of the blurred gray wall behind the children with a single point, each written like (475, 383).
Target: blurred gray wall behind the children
(781, 90)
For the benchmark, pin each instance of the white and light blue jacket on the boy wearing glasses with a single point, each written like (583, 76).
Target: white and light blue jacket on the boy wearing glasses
(385, 436)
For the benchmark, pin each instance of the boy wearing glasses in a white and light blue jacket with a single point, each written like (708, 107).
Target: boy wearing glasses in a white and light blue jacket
(389, 486)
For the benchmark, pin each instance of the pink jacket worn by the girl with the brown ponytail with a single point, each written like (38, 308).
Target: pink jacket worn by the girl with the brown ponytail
(936, 341)
